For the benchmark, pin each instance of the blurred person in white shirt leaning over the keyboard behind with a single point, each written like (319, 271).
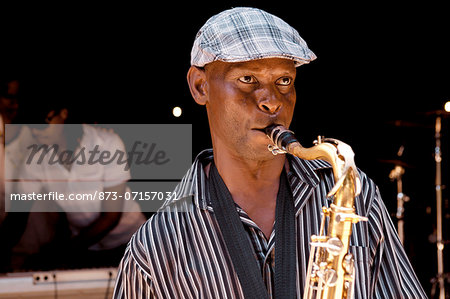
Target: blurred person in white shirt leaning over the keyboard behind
(61, 162)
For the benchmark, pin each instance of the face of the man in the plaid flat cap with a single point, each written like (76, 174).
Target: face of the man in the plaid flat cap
(246, 97)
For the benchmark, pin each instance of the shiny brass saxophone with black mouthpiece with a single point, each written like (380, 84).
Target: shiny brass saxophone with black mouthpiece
(330, 271)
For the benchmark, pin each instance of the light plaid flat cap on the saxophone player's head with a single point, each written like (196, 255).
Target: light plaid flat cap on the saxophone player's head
(243, 34)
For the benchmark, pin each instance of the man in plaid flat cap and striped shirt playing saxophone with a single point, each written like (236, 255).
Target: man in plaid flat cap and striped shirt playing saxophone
(243, 70)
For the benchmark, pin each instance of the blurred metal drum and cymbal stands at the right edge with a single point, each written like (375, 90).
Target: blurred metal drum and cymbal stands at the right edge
(441, 280)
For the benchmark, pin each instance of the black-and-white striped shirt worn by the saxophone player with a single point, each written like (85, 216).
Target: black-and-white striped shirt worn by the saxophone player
(180, 253)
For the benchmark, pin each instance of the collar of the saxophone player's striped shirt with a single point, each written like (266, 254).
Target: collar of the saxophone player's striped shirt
(193, 183)
